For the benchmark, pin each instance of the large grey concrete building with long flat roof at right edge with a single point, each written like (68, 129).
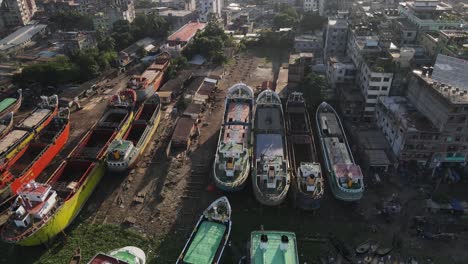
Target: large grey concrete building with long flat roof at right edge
(431, 126)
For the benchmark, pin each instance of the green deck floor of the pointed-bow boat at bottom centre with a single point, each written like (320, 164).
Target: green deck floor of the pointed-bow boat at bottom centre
(206, 243)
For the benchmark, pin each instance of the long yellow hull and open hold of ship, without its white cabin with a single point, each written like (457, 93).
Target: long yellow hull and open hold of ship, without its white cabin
(75, 179)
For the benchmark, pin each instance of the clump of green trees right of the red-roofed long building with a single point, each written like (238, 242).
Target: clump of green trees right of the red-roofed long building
(210, 43)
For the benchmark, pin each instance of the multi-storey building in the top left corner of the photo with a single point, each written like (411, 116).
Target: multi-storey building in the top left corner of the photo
(17, 12)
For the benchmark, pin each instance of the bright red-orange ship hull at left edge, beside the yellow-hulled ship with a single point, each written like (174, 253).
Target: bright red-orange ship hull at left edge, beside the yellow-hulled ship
(33, 159)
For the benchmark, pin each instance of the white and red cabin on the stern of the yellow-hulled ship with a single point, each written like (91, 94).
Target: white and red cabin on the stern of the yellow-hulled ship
(34, 201)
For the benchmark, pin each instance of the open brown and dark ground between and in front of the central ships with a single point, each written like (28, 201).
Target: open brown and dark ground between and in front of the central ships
(177, 189)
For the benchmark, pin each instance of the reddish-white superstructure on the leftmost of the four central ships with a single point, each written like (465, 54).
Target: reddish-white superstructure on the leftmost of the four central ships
(233, 149)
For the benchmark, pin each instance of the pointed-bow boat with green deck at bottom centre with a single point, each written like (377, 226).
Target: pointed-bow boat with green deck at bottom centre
(210, 236)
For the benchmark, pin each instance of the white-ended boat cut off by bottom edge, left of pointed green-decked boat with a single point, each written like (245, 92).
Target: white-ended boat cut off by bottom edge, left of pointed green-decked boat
(125, 255)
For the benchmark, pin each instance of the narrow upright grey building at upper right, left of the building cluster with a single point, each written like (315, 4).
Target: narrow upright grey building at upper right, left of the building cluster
(336, 38)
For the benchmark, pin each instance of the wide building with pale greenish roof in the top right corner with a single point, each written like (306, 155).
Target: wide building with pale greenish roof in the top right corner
(430, 14)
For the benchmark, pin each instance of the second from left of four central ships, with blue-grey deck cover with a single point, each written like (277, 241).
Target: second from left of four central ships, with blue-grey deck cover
(270, 175)
